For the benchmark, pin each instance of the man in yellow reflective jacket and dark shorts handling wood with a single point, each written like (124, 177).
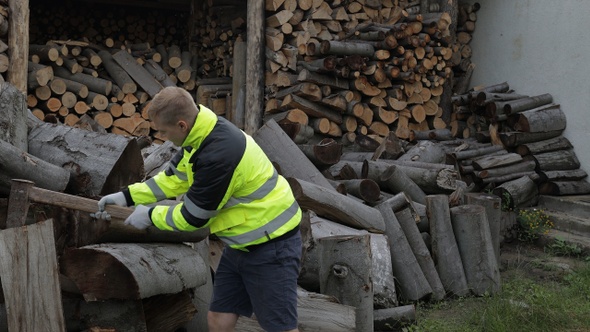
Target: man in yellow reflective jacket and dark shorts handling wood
(232, 188)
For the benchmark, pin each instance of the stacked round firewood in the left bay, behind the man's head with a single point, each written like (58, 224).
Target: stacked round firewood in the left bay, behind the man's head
(101, 74)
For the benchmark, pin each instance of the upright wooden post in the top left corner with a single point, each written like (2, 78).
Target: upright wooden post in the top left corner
(18, 43)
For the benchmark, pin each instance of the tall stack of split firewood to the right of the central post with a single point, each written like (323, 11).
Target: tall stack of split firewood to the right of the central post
(365, 67)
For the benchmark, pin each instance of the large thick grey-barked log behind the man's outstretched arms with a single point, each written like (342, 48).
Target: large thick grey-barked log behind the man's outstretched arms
(99, 163)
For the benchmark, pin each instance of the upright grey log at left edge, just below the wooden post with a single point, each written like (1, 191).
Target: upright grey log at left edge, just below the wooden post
(13, 123)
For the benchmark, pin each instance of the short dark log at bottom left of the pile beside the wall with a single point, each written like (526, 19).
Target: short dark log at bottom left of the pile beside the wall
(522, 192)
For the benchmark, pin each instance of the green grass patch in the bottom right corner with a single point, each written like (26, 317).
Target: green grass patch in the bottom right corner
(524, 304)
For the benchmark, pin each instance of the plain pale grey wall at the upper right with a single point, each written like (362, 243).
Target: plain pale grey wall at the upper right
(539, 46)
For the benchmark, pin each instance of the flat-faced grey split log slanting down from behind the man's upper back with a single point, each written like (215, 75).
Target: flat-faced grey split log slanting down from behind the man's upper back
(282, 150)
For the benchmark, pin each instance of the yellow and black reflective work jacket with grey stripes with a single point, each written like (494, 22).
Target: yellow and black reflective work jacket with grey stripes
(230, 184)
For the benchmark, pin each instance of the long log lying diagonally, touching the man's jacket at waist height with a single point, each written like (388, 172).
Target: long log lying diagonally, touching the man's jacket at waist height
(335, 206)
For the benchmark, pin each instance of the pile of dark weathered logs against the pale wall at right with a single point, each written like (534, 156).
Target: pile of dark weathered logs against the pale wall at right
(522, 150)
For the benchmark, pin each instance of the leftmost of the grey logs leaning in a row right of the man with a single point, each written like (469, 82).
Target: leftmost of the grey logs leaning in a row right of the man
(412, 283)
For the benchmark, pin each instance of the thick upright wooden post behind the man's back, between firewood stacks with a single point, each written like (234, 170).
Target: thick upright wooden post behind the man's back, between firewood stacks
(255, 66)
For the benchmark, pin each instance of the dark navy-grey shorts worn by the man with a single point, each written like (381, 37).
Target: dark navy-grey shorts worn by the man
(262, 281)
